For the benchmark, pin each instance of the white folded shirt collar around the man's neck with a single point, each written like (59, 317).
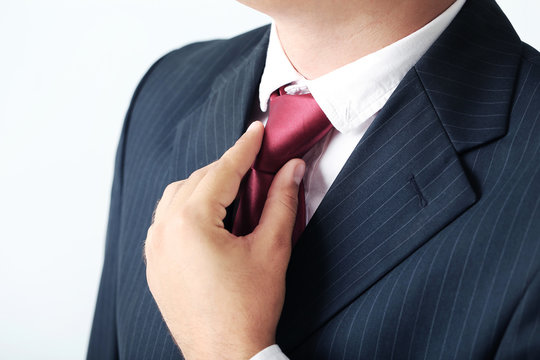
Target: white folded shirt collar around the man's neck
(352, 94)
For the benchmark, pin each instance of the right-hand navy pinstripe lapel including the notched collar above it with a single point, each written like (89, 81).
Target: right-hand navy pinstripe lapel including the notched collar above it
(404, 182)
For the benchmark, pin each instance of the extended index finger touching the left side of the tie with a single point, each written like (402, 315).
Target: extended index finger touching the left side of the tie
(221, 183)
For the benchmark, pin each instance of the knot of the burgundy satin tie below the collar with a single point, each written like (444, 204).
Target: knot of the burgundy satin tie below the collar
(295, 124)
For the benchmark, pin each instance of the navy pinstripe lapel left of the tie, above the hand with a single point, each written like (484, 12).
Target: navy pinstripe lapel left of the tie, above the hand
(213, 126)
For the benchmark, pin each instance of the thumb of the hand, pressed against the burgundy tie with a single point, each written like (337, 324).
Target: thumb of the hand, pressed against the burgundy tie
(279, 213)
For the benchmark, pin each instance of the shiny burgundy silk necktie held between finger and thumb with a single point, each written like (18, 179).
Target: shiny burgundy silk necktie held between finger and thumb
(295, 124)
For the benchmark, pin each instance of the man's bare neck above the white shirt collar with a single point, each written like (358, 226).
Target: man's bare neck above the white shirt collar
(323, 40)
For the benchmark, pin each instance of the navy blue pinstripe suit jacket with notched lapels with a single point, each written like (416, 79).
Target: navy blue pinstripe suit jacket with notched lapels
(427, 245)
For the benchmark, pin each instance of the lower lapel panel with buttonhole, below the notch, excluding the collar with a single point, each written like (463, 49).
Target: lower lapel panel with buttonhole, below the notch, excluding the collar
(402, 184)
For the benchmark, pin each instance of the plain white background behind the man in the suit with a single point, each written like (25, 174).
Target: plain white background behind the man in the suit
(67, 72)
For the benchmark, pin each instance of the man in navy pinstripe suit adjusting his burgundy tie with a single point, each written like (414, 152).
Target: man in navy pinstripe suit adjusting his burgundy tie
(418, 228)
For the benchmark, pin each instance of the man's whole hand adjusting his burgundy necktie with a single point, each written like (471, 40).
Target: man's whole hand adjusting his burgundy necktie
(222, 295)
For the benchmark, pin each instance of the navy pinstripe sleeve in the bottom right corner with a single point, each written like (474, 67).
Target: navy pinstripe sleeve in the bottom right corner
(521, 339)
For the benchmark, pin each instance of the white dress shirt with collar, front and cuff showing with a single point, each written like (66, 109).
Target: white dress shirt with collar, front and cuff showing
(351, 97)
